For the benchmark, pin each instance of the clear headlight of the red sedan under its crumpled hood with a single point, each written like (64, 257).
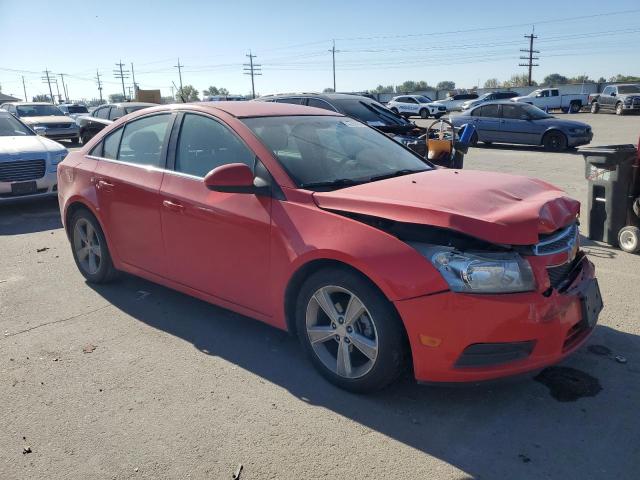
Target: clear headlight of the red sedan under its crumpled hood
(482, 272)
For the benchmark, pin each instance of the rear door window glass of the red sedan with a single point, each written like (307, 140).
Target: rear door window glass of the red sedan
(143, 139)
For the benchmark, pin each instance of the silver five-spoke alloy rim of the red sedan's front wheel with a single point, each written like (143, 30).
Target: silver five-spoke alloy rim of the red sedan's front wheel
(341, 332)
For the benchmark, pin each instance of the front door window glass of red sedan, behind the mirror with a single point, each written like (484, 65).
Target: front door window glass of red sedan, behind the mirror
(205, 144)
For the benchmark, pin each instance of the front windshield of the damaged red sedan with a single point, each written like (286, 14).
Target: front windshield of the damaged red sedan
(333, 152)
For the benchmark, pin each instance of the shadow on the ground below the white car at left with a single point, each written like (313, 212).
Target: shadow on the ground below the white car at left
(29, 216)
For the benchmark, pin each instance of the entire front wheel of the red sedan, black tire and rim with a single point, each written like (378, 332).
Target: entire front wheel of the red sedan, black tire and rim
(350, 331)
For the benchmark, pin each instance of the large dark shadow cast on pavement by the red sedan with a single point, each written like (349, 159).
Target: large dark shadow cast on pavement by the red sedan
(508, 429)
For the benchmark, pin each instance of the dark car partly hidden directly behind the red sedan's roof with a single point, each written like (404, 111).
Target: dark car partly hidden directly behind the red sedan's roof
(362, 108)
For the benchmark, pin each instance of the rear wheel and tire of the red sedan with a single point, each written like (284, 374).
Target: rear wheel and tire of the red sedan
(89, 248)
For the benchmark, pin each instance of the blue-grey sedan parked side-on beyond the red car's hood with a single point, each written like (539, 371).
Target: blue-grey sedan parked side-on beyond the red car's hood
(511, 122)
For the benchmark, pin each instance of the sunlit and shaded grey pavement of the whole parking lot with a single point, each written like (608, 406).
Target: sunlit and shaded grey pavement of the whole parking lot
(133, 380)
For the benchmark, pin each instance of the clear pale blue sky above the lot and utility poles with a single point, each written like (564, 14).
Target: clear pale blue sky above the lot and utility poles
(377, 43)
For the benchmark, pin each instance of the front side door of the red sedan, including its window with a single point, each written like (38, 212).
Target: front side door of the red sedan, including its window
(217, 243)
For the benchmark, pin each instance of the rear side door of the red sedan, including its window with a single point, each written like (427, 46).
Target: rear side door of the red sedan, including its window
(128, 183)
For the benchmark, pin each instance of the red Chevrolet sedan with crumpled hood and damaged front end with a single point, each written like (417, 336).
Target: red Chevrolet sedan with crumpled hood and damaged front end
(315, 223)
